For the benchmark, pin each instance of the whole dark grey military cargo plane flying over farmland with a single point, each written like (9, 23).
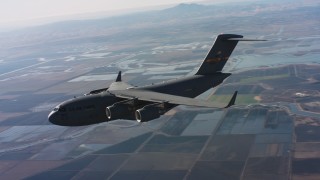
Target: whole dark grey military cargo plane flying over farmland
(123, 101)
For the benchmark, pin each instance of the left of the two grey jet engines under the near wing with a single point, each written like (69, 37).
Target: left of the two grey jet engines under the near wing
(120, 109)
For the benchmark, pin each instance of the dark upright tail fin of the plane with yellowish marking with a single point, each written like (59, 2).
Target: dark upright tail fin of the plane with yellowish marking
(219, 53)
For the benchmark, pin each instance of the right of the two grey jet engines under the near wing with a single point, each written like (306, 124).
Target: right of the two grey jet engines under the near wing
(149, 112)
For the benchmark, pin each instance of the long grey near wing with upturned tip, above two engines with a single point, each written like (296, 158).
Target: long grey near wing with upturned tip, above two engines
(168, 98)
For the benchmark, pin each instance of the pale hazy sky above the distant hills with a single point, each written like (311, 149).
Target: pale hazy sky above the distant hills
(20, 10)
